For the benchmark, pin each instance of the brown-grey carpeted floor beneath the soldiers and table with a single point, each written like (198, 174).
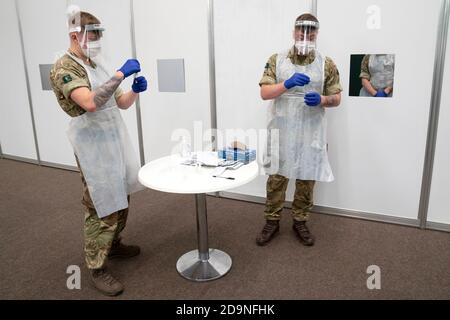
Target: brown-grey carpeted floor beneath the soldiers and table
(41, 235)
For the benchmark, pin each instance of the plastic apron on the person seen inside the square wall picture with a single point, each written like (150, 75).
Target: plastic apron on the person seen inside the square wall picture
(381, 68)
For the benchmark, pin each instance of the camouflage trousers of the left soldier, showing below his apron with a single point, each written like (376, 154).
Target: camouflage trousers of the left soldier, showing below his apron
(99, 233)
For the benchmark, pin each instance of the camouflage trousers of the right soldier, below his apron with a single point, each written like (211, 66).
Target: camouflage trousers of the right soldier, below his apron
(276, 194)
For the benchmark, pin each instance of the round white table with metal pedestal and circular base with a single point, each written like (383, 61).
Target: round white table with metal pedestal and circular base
(169, 175)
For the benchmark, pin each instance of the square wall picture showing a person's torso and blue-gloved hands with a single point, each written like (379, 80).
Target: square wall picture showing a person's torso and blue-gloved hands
(372, 75)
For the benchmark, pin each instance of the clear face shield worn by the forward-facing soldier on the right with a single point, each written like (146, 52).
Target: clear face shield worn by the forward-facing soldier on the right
(305, 36)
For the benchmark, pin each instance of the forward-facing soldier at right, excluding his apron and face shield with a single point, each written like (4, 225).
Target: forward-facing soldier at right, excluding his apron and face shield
(272, 88)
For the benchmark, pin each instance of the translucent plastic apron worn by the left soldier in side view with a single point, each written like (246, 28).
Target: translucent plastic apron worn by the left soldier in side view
(105, 152)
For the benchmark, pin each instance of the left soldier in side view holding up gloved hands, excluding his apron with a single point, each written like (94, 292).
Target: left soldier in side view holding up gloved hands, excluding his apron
(68, 78)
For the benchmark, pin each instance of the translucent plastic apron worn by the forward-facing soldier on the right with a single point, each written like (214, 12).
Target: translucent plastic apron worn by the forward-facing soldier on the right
(297, 147)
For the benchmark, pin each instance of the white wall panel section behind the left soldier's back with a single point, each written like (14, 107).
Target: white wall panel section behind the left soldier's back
(45, 36)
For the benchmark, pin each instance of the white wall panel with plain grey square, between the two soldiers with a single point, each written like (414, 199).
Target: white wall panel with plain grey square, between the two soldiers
(172, 29)
